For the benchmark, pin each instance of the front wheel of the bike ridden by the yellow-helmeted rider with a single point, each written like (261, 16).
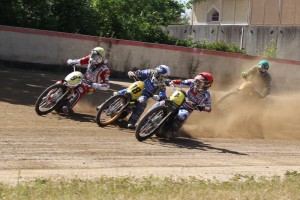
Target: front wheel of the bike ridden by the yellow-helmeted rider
(49, 99)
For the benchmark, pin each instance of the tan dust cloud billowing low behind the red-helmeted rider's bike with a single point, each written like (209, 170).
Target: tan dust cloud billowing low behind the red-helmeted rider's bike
(274, 117)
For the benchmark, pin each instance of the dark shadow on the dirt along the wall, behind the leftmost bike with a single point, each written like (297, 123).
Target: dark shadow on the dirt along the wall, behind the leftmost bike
(23, 86)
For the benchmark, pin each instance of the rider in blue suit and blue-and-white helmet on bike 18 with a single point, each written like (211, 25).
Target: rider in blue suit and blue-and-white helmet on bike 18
(155, 87)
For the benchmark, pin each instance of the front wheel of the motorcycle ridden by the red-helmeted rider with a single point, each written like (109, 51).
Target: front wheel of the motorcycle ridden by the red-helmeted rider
(150, 123)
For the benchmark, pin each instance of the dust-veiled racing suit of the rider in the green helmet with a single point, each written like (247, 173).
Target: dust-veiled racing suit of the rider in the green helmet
(261, 83)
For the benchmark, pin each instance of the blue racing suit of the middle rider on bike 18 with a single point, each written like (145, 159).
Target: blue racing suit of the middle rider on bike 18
(150, 90)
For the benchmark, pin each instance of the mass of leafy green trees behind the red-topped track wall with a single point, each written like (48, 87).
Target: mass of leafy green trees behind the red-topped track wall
(140, 20)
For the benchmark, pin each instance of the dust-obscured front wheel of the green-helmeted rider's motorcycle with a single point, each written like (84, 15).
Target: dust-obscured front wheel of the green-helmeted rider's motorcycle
(227, 102)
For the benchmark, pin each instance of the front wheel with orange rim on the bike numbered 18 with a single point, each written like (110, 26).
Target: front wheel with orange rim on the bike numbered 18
(111, 110)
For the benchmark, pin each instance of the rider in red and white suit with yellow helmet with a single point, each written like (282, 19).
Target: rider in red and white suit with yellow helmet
(95, 78)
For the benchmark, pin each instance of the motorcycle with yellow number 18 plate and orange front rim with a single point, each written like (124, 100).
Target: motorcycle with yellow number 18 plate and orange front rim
(119, 106)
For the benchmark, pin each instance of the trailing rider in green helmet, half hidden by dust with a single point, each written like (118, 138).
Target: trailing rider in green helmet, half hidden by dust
(258, 79)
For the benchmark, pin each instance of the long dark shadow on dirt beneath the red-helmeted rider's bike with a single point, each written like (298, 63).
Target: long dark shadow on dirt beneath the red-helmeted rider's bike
(189, 143)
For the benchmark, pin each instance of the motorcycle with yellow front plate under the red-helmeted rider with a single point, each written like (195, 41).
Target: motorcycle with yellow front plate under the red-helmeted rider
(159, 119)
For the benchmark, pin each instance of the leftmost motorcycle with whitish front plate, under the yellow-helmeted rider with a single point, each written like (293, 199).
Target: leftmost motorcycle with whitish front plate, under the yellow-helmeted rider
(57, 95)
